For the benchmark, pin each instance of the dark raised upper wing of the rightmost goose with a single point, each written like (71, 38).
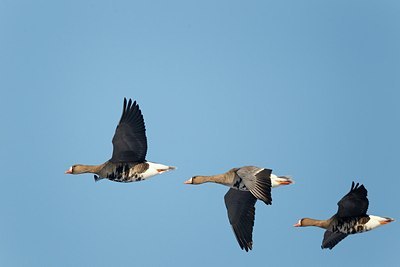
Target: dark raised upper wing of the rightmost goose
(355, 203)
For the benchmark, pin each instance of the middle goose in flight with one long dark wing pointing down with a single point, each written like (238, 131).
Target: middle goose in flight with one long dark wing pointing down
(247, 184)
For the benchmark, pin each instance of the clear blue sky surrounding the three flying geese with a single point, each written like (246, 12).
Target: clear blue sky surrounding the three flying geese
(309, 89)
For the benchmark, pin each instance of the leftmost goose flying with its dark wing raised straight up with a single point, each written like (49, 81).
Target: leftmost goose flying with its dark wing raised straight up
(128, 162)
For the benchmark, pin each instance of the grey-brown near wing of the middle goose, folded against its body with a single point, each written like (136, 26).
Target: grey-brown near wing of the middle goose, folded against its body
(258, 182)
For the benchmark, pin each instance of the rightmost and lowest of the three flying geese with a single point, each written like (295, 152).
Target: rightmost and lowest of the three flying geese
(351, 218)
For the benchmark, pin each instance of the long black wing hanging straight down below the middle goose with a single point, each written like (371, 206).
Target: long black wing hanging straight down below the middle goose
(241, 213)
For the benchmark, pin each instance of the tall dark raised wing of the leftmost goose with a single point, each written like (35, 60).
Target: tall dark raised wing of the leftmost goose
(129, 141)
